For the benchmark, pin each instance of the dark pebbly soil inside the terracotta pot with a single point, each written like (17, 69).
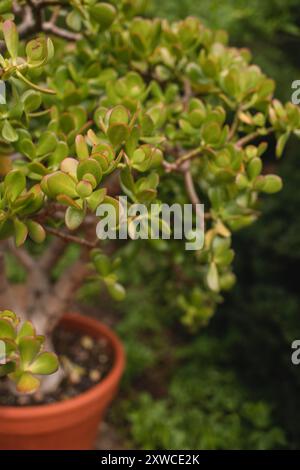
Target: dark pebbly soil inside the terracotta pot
(85, 360)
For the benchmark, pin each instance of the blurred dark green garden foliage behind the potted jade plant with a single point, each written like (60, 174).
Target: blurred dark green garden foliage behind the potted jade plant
(231, 385)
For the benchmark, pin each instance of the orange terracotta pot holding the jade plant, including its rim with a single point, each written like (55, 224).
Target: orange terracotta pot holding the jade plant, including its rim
(71, 424)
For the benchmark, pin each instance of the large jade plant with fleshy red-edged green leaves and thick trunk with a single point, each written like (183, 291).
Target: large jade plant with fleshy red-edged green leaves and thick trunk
(97, 102)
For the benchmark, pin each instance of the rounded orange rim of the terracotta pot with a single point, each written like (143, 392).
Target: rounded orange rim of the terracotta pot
(90, 395)
